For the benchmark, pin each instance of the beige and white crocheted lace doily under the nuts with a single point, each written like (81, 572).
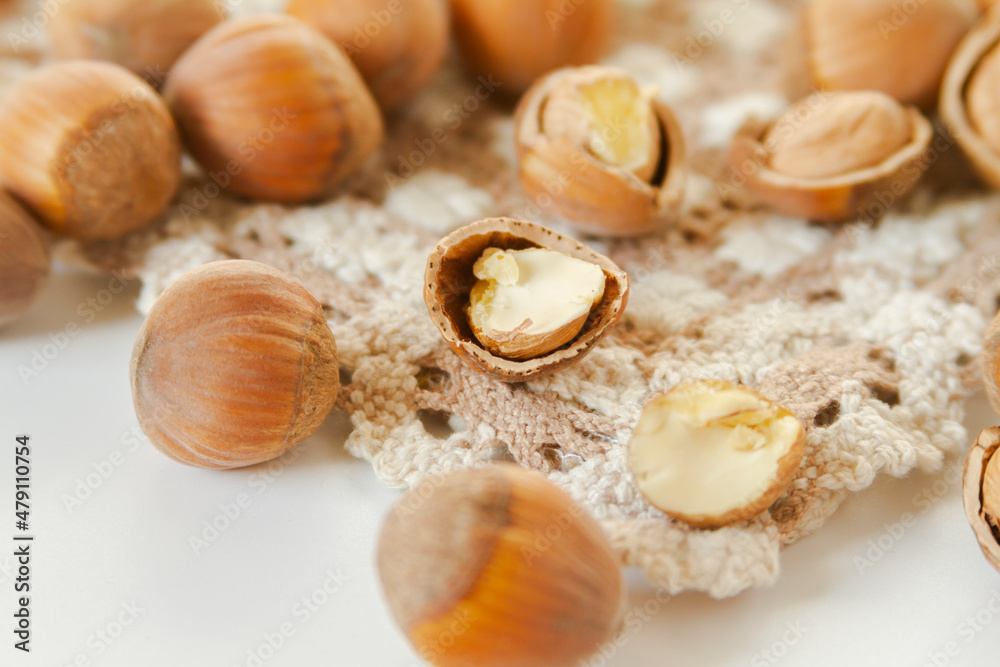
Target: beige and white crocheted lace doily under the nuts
(869, 333)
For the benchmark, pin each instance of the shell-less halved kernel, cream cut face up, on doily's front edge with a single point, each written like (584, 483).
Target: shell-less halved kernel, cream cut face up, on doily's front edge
(711, 453)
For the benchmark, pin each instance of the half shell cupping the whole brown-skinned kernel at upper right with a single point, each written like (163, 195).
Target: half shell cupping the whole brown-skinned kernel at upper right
(865, 192)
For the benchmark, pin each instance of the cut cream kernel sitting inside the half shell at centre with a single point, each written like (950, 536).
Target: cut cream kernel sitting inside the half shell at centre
(527, 303)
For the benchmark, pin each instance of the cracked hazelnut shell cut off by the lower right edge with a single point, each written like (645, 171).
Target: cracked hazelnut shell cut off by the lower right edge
(981, 493)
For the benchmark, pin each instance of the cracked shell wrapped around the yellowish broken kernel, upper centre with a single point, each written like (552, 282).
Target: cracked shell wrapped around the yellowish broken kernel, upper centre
(592, 195)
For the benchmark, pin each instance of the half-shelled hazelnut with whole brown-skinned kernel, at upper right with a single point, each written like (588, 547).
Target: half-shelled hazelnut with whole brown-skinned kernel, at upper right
(833, 155)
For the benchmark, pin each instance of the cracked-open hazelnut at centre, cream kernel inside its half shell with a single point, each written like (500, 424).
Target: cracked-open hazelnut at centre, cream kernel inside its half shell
(488, 343)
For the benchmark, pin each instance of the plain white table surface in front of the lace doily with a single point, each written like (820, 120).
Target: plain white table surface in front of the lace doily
(894, 578)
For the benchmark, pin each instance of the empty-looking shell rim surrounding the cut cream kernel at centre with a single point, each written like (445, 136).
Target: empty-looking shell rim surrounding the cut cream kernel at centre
(449, 281)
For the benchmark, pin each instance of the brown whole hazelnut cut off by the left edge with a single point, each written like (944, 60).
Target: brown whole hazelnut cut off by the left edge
(24, 259)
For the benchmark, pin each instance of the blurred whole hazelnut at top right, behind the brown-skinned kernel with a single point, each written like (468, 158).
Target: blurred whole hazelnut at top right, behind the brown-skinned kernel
(880, 45)
